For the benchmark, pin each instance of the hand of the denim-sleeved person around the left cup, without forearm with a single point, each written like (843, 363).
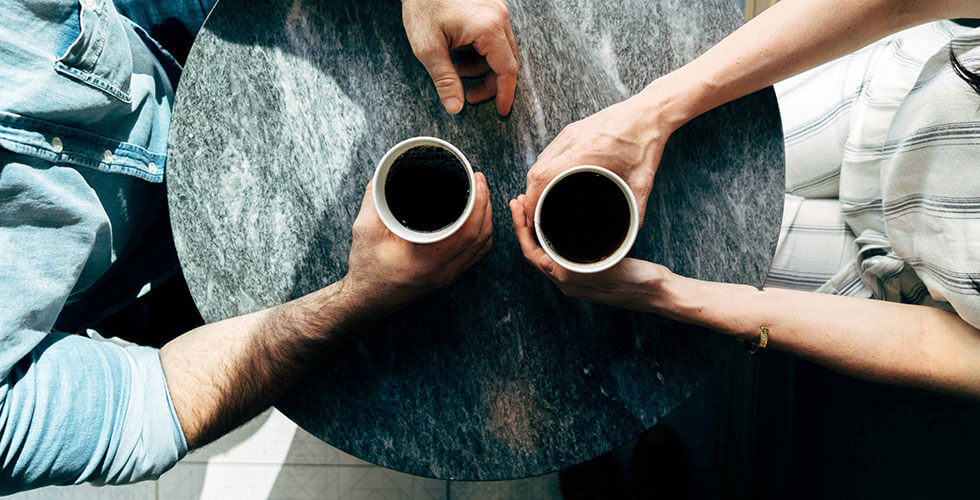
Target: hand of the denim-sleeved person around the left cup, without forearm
(386, 268)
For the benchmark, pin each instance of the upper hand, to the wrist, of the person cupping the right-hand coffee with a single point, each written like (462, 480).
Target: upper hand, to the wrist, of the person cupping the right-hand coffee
(627, 138)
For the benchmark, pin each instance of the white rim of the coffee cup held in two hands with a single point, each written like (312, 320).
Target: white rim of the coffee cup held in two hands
(621, 250)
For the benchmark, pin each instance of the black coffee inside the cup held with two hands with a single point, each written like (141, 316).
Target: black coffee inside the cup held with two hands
(585, 217)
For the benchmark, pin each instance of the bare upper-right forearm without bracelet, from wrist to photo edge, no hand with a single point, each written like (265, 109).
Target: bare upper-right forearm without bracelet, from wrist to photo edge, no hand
(788, 38)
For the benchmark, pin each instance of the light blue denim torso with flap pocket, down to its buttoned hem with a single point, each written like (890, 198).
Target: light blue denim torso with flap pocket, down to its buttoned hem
(91, 88)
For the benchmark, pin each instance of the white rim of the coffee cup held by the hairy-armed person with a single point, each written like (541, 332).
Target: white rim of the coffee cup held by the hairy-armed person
(381, 204)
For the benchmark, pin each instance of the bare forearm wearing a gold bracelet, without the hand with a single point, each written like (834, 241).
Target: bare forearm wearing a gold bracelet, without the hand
(875, 340)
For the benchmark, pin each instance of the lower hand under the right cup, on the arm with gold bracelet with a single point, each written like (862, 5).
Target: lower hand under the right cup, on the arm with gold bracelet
(631, 284)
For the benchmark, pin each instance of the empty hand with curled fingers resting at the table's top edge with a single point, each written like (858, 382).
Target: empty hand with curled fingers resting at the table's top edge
(481, 30)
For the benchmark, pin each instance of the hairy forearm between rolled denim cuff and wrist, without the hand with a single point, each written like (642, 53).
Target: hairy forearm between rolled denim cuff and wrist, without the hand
(221, 374)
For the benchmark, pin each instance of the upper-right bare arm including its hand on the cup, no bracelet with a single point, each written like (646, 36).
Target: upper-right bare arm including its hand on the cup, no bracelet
(629, 137)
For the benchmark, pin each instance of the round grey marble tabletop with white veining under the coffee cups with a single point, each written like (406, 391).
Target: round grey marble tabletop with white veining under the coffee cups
(285, 108)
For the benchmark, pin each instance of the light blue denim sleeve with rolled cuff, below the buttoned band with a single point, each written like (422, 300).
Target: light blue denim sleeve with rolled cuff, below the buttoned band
(72, 409)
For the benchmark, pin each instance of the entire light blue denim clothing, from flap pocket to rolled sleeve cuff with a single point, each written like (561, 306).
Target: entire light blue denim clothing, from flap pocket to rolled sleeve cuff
(85, 103)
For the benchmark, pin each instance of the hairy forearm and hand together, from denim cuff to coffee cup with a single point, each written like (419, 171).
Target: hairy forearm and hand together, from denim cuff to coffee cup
(223, 373)
